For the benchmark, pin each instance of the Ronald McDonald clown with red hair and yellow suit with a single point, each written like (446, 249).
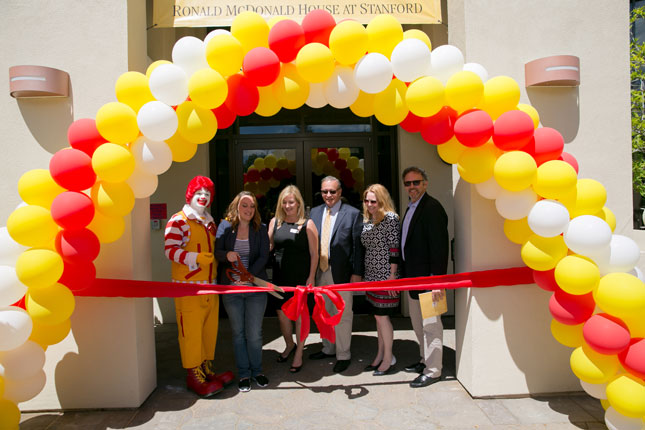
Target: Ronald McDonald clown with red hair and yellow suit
(189, 239)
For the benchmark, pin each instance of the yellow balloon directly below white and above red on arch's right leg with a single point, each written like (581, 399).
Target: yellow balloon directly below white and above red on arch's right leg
(577, 274)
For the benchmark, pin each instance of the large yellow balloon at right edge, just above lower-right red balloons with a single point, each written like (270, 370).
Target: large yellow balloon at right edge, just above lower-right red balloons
(621, 295)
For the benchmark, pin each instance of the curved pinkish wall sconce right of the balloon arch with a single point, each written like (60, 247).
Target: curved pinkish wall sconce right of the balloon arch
(554, 71)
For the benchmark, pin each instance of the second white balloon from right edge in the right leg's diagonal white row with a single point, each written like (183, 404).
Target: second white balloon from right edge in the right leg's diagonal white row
(587, 235)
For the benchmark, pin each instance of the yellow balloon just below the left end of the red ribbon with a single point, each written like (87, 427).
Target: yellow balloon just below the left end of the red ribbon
(50, 305)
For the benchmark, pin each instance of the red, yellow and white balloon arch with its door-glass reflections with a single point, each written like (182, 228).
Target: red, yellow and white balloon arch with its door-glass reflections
(598, 300)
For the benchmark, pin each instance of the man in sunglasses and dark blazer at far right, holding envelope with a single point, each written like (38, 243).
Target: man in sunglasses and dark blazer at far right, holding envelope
(424, 246)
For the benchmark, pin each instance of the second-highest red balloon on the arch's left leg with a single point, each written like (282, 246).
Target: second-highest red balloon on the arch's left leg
(72, 169)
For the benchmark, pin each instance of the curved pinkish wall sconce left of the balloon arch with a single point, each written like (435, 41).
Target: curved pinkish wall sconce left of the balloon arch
(37, 81)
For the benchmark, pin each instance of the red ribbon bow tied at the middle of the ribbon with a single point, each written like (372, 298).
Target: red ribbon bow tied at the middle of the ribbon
(297, 307)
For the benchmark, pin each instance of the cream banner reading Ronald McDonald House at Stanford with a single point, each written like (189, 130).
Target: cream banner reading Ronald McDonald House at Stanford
(220, 13)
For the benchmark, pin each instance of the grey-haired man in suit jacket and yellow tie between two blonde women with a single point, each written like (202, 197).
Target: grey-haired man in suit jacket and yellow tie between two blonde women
(339, 229)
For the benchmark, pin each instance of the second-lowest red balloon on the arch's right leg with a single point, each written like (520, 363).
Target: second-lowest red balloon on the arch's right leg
(606, 334)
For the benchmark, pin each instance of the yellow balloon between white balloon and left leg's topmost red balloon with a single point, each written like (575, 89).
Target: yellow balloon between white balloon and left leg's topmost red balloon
(117, 123)
